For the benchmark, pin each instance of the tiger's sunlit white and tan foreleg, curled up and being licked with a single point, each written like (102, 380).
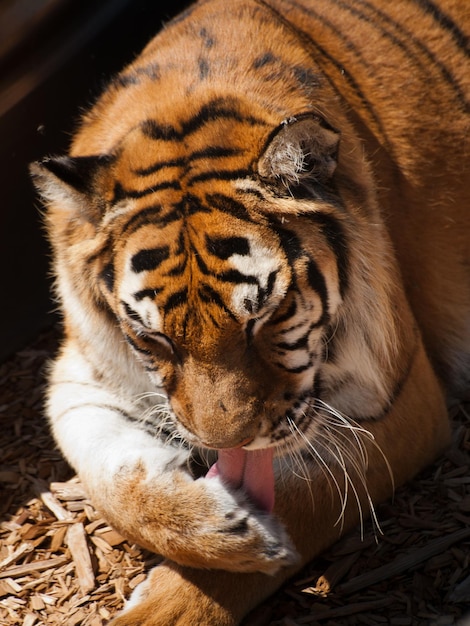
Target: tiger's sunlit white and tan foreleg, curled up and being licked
(143, 485)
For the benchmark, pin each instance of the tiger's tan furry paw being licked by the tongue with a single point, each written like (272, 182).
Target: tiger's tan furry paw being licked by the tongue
(200, 523)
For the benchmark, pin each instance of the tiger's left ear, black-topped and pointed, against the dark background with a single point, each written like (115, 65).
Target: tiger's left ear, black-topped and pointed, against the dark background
(71, 183)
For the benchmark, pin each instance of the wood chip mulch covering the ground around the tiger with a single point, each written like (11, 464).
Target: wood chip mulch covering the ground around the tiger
(60, 562)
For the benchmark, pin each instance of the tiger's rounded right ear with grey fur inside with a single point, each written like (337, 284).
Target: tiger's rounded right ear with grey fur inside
(301, 151)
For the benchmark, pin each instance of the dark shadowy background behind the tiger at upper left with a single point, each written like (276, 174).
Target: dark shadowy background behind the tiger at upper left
(55, 59)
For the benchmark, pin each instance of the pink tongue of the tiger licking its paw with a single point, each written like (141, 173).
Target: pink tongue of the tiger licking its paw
(252, 470)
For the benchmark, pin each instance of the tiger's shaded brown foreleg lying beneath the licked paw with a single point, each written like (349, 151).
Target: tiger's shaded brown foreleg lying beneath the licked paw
(313, 511)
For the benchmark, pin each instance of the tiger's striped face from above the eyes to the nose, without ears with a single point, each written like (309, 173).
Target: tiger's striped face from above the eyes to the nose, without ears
(230, 323)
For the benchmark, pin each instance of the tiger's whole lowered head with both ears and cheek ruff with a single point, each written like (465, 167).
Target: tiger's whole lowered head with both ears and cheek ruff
(234, 261)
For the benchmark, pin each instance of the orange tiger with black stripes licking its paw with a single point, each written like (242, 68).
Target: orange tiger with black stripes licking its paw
(261, 242)
